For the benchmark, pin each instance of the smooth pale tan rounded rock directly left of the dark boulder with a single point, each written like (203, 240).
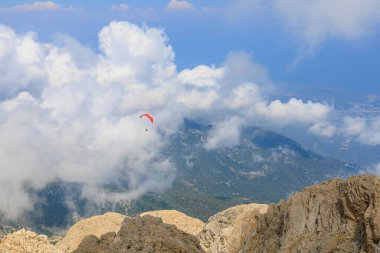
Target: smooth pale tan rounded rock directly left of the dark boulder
(95, 226)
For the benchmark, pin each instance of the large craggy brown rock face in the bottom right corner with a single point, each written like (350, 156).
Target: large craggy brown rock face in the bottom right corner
(335, 216)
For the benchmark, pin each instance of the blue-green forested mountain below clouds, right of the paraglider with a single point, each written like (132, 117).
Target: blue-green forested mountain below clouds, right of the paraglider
(263, 167)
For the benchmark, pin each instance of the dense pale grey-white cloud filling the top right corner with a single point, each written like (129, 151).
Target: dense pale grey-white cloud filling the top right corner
(318, 20)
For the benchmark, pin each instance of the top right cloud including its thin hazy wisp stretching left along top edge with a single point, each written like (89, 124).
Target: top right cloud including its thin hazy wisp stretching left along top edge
(311, 22)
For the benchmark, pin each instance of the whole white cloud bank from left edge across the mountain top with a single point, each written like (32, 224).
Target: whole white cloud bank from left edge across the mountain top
(69, 113)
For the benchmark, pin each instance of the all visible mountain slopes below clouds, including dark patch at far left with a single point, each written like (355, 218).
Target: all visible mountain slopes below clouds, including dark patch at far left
(264, 167)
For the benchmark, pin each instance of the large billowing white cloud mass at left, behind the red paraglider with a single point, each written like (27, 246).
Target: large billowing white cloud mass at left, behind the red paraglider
(77, 120)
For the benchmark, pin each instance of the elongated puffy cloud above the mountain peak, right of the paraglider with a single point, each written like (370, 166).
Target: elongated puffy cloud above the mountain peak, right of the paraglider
(239, 87)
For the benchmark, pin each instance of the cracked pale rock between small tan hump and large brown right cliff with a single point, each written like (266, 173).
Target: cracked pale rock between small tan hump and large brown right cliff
(226, 231)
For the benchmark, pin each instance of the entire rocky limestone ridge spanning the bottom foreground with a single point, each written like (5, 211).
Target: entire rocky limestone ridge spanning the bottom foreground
(335, 216)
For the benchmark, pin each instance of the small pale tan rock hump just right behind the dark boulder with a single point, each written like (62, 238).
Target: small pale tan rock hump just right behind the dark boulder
(182, 221)
